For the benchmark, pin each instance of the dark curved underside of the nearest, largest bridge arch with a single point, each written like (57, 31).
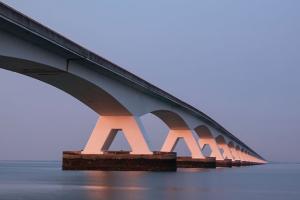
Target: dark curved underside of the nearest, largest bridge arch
(83, 90)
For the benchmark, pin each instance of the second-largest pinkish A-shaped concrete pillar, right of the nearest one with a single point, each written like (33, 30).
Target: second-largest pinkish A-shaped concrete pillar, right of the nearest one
(187, 135)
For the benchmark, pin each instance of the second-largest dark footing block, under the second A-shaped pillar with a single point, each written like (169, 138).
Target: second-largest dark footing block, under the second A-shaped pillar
(188, 162)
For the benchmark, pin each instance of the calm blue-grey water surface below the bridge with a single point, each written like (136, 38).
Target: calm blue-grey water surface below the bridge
(45, 180)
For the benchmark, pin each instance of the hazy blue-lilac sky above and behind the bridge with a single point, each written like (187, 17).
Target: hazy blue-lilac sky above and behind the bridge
(237, 61)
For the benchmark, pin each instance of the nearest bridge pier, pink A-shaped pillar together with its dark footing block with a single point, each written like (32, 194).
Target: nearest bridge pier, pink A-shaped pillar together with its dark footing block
(96, 156)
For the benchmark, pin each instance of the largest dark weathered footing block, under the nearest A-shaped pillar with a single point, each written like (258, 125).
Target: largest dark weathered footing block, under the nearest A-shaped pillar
(119, 161)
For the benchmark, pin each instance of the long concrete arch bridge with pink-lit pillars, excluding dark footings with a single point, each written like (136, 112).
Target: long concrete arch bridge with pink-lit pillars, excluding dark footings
(118, 96)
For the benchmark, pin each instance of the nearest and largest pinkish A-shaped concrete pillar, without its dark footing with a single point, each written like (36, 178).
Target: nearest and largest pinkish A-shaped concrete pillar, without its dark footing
(106, 130)
